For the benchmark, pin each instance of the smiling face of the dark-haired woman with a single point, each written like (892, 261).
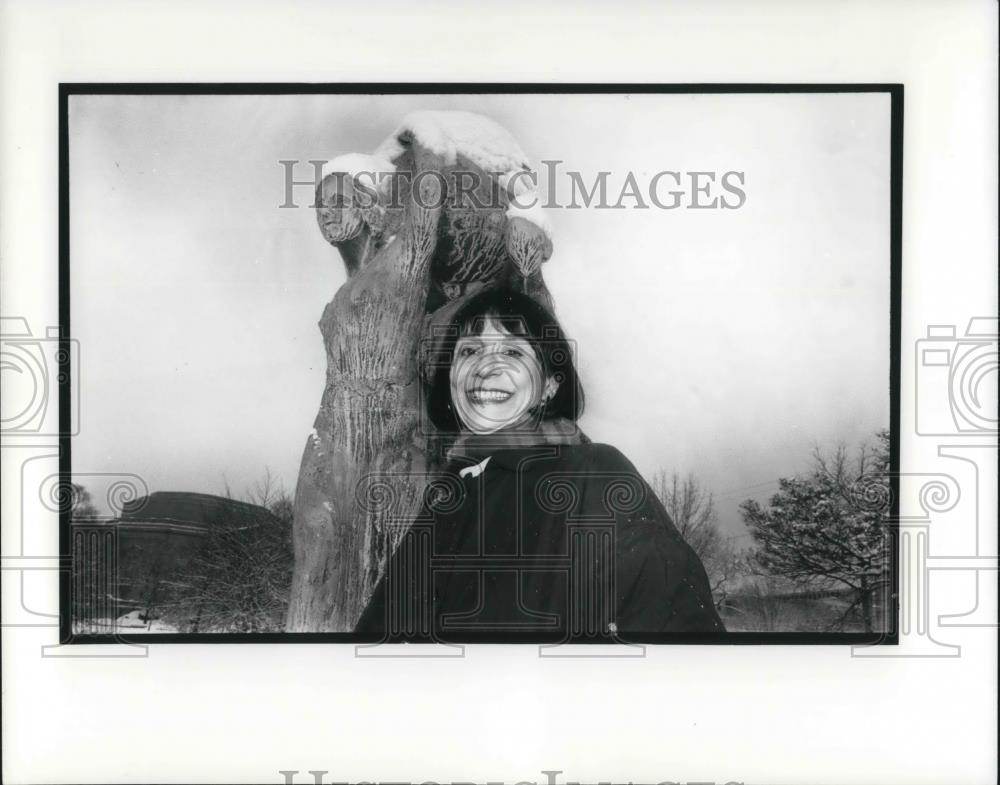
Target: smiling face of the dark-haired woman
(496, 378)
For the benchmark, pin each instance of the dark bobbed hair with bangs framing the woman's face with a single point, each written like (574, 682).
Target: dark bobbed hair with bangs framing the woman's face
(520, 315)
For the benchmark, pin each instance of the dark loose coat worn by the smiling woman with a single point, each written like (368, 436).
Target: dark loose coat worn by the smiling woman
(541, 543)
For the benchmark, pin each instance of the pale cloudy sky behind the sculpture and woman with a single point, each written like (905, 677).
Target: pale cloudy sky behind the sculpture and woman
(719, 342)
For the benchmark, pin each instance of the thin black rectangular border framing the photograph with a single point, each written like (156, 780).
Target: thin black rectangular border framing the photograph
(67, 89)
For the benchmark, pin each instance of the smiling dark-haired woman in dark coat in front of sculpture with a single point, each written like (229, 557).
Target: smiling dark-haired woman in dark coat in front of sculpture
(530, 532)
